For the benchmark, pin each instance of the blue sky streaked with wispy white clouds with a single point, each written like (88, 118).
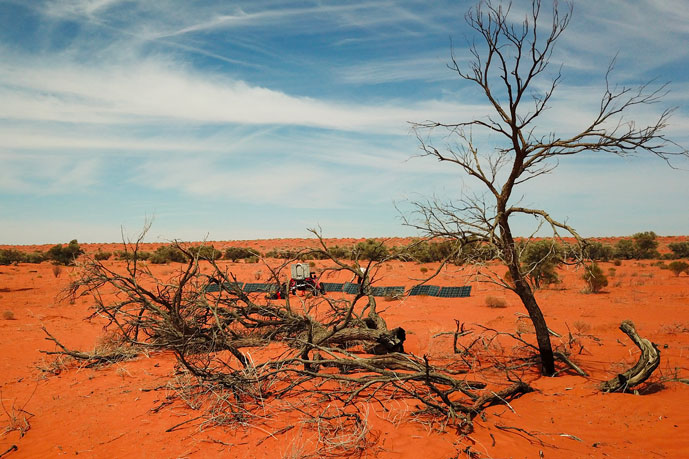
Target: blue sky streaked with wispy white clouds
(259, 119)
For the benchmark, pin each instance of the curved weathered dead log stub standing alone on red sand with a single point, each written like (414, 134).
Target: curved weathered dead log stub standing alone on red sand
(648, 362)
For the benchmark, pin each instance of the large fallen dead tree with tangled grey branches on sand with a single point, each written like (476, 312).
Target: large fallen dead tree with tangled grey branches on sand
(332, 348)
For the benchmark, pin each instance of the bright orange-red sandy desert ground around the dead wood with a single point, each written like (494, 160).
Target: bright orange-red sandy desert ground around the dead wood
(109, 411)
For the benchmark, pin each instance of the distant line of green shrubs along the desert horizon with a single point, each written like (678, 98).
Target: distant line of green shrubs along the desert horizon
(546, 253)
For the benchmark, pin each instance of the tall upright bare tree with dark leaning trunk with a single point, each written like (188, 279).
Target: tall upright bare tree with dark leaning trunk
(509, 67)
